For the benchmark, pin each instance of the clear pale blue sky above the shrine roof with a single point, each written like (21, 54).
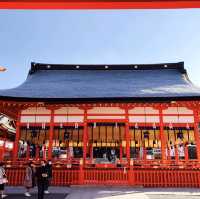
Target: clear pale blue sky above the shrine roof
(97, 37)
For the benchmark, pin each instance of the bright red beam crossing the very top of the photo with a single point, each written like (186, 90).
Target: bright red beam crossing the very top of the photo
(99, 4)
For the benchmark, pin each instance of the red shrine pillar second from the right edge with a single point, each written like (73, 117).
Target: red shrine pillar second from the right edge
(162, 136)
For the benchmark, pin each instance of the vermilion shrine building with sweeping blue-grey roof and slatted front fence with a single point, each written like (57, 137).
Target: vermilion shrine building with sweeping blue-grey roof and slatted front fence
(107, 124)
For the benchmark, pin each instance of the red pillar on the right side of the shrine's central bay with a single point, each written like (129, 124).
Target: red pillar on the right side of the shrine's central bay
(127, 136)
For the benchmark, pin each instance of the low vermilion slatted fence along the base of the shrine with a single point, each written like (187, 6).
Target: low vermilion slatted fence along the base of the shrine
(118, 176)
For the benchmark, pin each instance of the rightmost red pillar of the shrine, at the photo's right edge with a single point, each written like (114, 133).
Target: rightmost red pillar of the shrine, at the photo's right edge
(196, 133)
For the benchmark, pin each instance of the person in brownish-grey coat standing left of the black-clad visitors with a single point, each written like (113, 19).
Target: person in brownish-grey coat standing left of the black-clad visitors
(28, 180)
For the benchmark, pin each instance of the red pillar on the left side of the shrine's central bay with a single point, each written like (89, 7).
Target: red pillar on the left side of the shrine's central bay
(85, 136)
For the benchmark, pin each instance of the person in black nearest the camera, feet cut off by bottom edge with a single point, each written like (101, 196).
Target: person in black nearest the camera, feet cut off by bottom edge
(42, 179)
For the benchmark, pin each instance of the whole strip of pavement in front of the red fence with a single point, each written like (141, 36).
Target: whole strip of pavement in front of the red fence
(107, 192)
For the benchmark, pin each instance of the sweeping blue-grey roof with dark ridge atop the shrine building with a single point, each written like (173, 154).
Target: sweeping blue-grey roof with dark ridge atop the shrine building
(95, 82)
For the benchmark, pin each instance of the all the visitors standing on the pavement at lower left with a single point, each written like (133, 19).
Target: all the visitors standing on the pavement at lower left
(35, 175)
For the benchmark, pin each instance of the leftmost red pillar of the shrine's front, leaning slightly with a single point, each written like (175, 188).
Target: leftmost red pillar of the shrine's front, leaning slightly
(17, 136)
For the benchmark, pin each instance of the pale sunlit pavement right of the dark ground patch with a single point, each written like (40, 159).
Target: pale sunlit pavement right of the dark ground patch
(132, 193)
